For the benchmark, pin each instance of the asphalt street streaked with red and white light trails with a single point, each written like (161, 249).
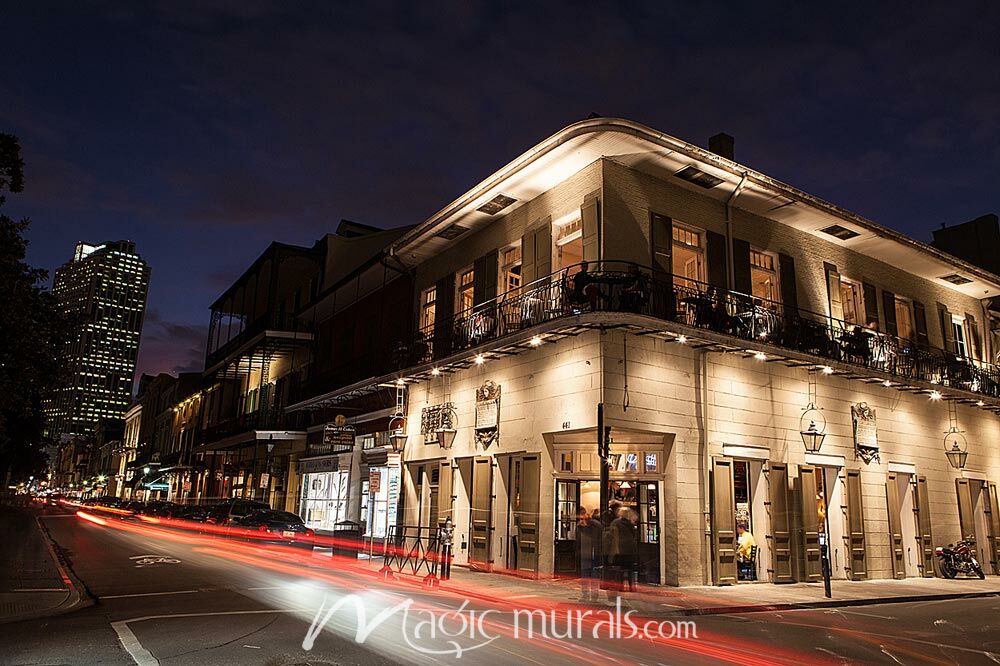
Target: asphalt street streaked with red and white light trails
(167, 596)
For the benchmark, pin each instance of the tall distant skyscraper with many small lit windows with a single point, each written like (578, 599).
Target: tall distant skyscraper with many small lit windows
(103, 292)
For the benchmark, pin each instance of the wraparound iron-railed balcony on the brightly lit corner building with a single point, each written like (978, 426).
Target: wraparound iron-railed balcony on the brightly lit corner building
(741, 319)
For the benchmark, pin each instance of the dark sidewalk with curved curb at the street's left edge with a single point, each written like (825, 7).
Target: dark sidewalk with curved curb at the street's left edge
(32, 581)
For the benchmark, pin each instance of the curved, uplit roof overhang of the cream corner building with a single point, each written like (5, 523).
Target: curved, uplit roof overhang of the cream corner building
(571, 149)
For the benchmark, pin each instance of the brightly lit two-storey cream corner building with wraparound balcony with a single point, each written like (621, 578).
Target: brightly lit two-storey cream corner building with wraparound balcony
(716, 303)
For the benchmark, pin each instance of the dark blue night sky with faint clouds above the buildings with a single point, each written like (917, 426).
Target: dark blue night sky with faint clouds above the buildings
(205, 130)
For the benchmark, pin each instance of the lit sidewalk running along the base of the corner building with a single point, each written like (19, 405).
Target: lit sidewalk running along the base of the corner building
(742, 598)
